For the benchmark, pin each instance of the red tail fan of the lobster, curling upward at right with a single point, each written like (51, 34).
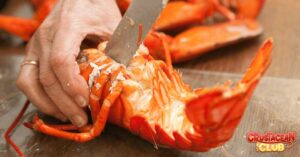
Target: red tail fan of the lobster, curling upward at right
(216, 112)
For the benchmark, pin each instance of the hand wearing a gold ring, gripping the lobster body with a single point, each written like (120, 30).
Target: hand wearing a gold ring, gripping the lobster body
(55, 86)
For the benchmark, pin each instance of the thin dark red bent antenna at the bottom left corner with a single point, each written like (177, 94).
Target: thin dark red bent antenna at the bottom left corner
(13, 126)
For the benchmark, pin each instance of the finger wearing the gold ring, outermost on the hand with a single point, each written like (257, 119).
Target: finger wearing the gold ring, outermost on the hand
(28, 82)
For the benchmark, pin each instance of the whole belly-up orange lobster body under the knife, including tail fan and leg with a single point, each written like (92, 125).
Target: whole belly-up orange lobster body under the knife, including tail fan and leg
(150, 99)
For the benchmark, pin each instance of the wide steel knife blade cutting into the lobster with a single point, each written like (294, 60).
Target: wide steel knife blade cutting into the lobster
(123, 43)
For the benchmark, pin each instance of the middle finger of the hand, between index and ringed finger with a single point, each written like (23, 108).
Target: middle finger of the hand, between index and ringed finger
(54, 100)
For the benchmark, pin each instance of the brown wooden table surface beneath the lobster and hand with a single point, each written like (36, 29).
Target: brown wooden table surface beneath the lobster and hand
(274, 107)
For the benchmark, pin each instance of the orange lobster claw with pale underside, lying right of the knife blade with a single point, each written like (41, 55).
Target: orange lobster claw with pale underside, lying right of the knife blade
(201, 39)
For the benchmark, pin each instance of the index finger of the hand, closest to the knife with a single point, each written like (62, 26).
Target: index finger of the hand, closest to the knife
(64, 65)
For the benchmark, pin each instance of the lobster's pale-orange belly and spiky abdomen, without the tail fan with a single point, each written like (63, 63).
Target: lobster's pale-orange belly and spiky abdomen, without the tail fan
(153, 97)
